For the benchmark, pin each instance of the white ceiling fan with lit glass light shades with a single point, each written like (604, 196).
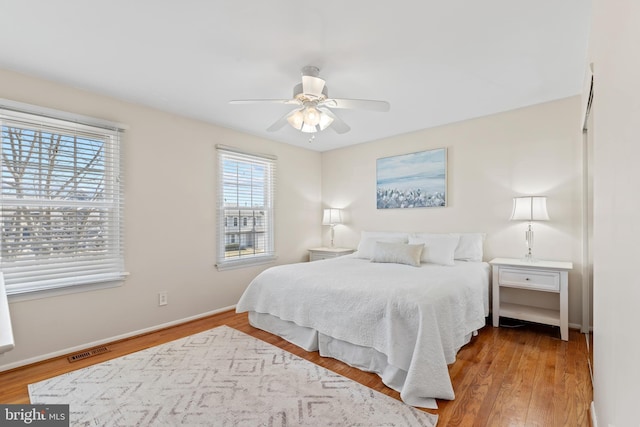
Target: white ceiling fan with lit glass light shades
(313, 111)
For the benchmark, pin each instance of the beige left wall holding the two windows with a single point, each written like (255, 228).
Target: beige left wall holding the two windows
(170, 172)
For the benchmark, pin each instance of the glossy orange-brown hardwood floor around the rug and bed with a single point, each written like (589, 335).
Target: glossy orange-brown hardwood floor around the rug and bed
(523, 376)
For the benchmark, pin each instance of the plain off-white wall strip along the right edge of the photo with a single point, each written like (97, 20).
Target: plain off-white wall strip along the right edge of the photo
(616, 117)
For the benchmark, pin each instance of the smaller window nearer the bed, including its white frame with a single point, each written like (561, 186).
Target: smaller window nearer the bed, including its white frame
(246, 185)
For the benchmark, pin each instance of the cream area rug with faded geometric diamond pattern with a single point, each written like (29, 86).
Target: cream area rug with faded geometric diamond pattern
(220, 377)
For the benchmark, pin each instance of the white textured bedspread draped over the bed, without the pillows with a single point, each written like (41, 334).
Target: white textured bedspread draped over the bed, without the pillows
(418, 317)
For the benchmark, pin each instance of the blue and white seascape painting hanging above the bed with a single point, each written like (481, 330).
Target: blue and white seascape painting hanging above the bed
(415, 180)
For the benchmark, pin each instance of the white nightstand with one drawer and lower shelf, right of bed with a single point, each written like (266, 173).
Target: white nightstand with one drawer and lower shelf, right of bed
(543, 276)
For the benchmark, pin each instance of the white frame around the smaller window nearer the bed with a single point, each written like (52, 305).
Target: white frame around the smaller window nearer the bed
(222, 263)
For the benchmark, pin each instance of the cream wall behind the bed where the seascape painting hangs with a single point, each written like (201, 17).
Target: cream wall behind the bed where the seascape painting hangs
(534, 150)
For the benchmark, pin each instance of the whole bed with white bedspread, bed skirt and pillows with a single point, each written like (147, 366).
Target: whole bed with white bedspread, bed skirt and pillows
(401, 306)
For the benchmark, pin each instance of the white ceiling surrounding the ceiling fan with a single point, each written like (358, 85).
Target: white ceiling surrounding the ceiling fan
(434, 61)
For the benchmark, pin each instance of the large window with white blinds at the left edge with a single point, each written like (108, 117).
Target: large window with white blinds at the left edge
(61, 205)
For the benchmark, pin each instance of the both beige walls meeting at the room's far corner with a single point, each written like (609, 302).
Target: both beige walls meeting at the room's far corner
(170, 243)
